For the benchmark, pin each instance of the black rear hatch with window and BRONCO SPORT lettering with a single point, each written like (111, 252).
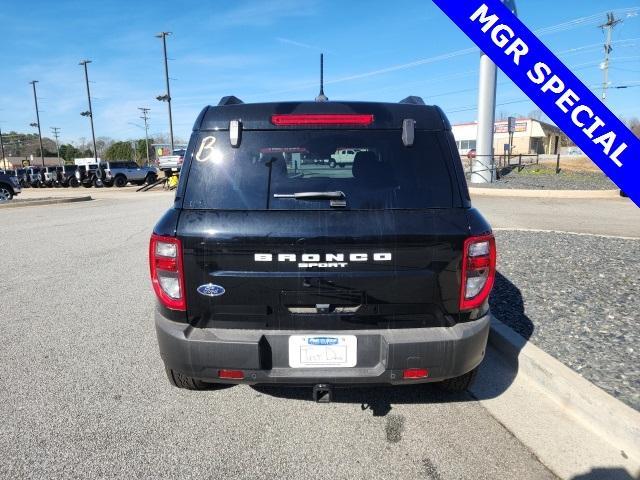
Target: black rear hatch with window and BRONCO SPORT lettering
(271, 241)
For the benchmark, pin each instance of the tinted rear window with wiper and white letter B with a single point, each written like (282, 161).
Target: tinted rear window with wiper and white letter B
(277, 170)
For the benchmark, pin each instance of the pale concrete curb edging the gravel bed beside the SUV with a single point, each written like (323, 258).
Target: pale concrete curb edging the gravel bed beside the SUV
(608, 418)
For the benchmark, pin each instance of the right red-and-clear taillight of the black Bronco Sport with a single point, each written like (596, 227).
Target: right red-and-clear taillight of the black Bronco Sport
(478, 270)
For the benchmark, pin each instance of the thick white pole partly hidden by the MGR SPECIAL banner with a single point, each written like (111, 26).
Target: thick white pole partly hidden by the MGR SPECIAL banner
(483, 165)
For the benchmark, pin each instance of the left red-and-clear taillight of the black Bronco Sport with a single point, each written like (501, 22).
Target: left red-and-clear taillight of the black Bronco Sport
(167, 274)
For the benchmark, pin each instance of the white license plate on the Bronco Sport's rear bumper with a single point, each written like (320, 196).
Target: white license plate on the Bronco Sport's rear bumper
(318, 351)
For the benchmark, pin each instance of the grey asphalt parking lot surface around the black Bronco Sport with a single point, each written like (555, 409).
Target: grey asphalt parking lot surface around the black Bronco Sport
(83, 393)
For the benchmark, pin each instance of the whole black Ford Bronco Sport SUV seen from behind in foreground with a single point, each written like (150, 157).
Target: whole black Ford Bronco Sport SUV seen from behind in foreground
(270, 270)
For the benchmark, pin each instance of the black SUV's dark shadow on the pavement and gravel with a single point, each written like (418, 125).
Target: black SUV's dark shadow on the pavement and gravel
(507, 306)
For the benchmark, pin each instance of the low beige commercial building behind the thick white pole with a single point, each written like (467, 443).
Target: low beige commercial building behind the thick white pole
(531, 136)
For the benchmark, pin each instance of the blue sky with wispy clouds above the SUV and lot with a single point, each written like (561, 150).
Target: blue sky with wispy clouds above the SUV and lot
(268, 51)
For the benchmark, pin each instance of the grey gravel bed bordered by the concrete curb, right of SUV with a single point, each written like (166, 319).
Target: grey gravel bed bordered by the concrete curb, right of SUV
(576, 297)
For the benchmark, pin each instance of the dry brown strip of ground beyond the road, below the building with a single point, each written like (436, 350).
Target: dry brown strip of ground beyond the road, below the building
(544, 178)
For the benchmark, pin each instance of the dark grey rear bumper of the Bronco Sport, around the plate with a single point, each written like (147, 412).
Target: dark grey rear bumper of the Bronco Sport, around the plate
(382, 355)
